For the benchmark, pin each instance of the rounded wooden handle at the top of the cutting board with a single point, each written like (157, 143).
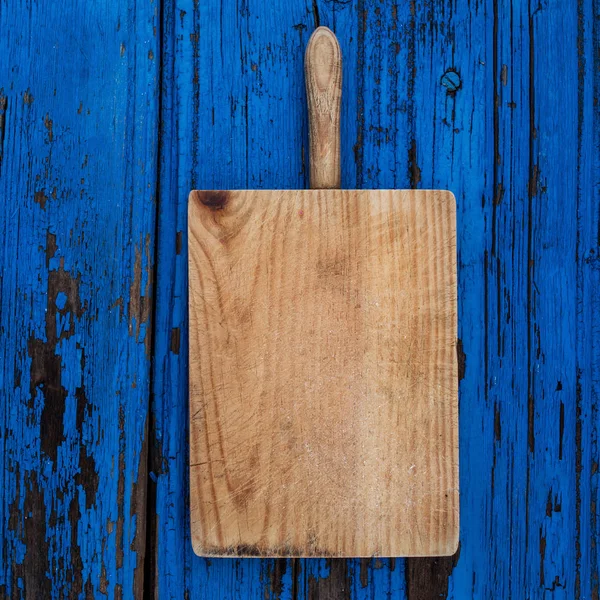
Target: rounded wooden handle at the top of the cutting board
(323, 72)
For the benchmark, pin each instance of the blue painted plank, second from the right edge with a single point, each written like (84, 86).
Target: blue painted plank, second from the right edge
(549, 554)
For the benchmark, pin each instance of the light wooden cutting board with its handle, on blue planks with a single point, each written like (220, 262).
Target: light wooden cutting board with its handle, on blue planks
(323, 367)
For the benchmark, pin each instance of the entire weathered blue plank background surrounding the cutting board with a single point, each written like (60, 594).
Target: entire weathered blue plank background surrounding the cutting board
(110, 112)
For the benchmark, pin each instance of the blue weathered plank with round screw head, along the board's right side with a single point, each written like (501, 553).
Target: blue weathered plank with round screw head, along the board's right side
(451, 93)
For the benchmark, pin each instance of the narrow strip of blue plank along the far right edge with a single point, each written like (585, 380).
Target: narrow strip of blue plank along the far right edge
(587, 387)
